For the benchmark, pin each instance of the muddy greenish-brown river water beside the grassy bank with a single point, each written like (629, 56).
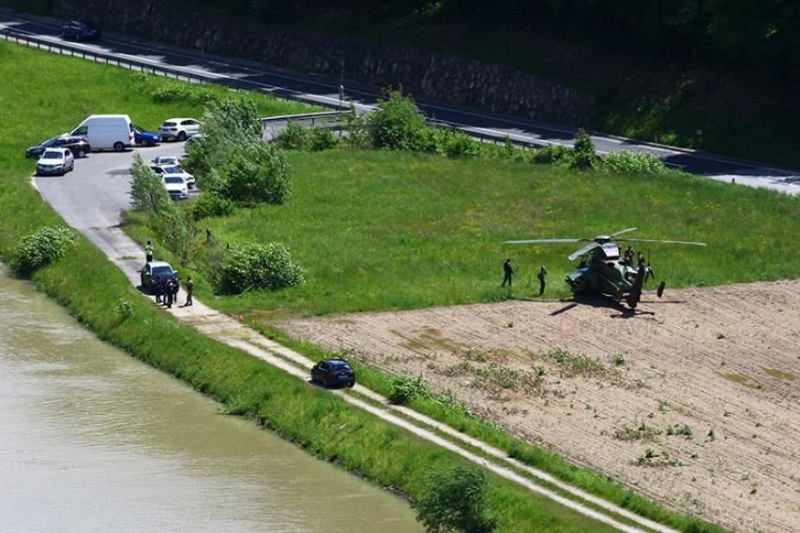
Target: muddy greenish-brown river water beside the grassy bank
(91, 440)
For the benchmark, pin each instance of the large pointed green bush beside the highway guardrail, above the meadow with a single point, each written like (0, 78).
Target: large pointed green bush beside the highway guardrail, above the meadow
(396, 124)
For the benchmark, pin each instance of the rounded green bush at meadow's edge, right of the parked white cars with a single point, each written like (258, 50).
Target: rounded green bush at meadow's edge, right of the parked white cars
(257, 173)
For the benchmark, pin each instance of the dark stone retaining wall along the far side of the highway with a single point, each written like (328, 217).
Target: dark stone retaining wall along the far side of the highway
(428, 76)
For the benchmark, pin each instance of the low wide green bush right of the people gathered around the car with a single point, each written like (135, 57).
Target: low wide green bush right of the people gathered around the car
(257, 267)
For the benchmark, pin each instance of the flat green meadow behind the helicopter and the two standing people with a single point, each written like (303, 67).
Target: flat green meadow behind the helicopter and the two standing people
(386, 231)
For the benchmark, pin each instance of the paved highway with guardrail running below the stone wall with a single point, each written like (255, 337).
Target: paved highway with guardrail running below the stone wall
(325, 91)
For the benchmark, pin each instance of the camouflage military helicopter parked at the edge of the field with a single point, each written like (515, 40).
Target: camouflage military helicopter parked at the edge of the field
(603, 270)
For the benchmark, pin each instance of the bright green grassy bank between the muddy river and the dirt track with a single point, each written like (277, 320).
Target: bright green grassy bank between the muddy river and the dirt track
(90, 287)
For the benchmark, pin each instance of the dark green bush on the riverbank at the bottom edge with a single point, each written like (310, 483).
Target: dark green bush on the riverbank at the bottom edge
(455, 503)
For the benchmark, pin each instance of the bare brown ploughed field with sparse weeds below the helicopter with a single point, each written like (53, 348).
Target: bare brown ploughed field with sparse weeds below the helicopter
(693, 401)
